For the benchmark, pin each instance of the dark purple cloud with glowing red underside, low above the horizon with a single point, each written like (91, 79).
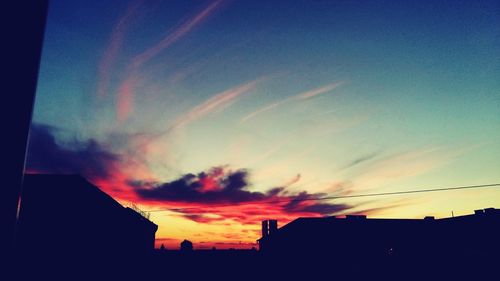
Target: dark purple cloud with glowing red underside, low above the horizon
(220, 195)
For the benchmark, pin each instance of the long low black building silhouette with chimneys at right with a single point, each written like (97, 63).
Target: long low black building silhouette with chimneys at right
(361, 244)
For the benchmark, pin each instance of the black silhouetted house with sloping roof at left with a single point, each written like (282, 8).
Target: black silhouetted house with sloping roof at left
(66, 215)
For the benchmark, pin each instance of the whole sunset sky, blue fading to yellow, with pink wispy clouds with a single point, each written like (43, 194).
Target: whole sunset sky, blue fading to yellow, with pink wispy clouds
(215, 115)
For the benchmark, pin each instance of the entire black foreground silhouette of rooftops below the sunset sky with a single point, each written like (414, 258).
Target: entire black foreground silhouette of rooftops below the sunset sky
(69, 229)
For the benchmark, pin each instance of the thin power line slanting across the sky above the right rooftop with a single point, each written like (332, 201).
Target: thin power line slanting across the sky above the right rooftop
(335, 197)
